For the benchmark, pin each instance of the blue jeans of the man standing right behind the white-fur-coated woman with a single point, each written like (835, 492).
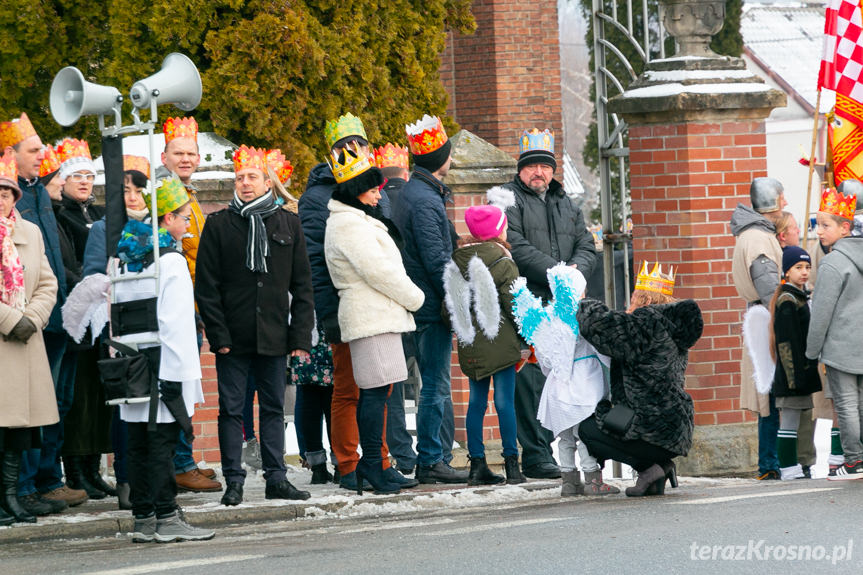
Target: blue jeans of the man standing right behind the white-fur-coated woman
(434, 352)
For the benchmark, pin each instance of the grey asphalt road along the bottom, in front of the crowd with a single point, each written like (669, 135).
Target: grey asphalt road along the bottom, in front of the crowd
(769, 527)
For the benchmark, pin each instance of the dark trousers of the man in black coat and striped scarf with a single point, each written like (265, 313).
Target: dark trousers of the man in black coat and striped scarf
(270, 381)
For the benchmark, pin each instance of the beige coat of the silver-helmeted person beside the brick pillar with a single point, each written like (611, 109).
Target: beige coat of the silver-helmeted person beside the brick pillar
(751, 243)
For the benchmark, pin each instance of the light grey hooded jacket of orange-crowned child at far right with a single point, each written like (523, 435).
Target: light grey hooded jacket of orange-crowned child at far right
(837, 306)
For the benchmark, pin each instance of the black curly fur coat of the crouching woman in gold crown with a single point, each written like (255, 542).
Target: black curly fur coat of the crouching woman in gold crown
(649, 353)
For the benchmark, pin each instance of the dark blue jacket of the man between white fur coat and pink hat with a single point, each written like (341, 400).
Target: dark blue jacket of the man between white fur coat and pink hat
(426, 231)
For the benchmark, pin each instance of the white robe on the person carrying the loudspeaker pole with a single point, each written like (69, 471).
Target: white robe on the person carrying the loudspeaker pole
(180, 360)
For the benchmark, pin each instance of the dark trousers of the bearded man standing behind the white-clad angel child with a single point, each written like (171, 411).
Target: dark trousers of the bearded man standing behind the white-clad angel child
(535, 440)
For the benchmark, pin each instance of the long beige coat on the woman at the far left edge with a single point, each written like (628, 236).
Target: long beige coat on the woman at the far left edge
(26, 384)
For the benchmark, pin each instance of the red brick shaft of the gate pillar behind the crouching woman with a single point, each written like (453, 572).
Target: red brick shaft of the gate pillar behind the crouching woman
(686, 180)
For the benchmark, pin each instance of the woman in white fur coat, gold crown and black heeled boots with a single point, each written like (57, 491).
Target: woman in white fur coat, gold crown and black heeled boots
(376, 299)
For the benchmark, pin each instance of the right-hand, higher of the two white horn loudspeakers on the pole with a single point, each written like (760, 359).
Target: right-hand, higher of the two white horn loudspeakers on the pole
(177, 83)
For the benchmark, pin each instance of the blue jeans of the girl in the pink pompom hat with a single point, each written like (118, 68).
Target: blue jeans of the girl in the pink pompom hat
(504, 404)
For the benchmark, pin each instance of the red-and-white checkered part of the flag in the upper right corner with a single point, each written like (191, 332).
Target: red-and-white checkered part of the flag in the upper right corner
(842, 59)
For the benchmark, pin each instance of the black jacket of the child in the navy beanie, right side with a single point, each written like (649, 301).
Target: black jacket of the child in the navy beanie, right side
(795, 375)
